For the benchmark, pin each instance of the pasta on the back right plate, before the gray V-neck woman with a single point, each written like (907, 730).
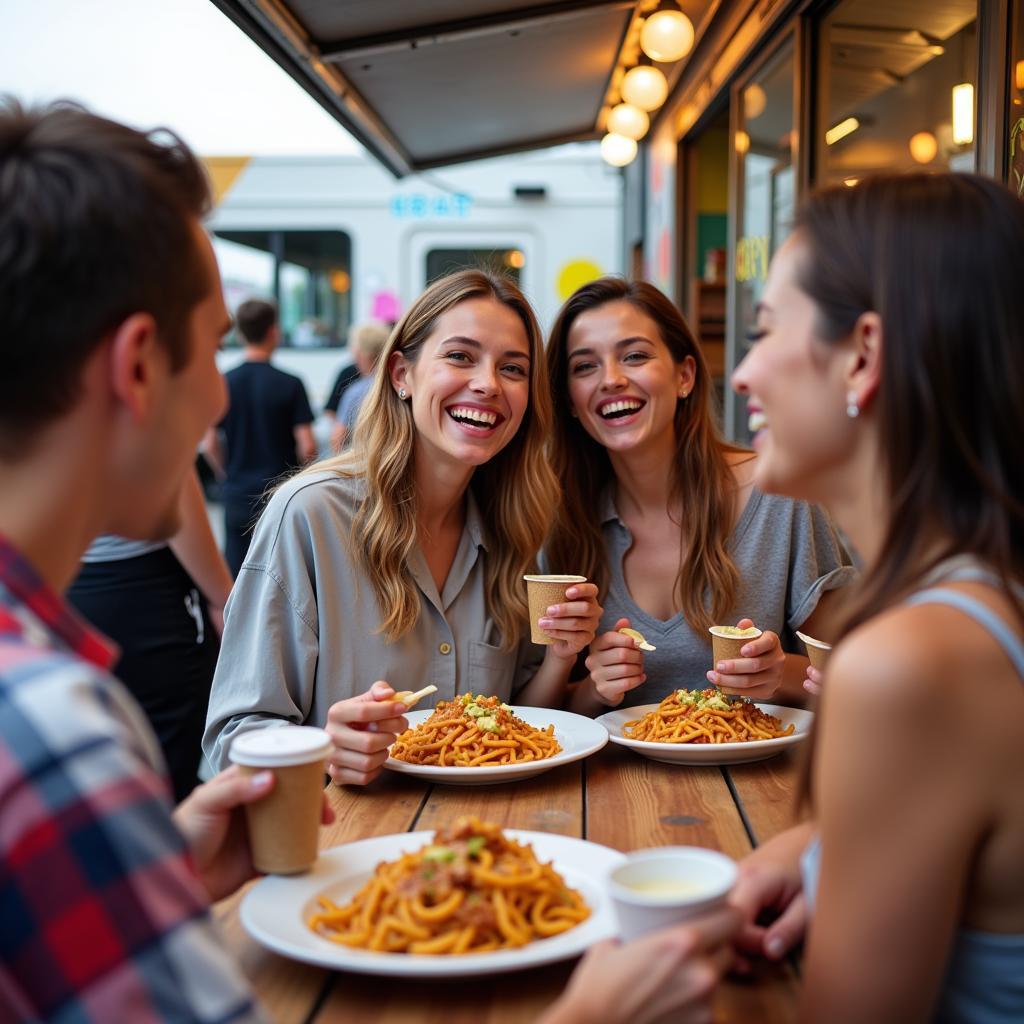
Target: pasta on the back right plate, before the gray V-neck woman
(705, 717)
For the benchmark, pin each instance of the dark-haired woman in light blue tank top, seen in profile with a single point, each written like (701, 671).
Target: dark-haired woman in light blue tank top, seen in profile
(886, 383)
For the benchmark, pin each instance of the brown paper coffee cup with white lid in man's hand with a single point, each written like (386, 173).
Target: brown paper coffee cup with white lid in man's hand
(284, 827)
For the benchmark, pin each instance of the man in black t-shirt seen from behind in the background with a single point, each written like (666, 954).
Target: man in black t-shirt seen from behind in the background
(268, 430)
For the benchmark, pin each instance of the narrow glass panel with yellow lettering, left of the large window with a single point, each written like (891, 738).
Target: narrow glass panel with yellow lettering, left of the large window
(763, 142)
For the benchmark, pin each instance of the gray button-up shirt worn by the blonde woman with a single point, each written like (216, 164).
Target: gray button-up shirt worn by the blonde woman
(302, 624)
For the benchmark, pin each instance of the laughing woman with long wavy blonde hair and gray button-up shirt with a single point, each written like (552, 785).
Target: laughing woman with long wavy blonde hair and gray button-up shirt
(402, 561)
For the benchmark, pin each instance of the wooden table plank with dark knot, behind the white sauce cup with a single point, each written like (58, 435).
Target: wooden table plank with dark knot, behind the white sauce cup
(634, 803)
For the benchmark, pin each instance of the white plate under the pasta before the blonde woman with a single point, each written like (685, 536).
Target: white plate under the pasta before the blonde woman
(577, 736)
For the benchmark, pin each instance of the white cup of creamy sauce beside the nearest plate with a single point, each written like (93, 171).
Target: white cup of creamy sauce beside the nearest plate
(657, 888)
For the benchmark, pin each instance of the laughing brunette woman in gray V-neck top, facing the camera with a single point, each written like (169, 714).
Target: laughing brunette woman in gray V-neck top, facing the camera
(663, 514)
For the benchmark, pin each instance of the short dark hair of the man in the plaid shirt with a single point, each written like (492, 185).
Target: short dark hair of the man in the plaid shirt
(96, 226)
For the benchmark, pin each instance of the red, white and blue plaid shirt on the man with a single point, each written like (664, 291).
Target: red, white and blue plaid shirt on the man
(102, 916)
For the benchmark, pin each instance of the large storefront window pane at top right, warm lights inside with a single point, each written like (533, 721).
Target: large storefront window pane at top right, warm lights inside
(897, 89)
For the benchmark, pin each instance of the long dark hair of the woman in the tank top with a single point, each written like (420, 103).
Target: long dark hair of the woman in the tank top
(938, 258)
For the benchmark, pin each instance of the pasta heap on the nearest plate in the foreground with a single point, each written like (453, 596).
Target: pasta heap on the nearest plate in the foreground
(472, 891)
